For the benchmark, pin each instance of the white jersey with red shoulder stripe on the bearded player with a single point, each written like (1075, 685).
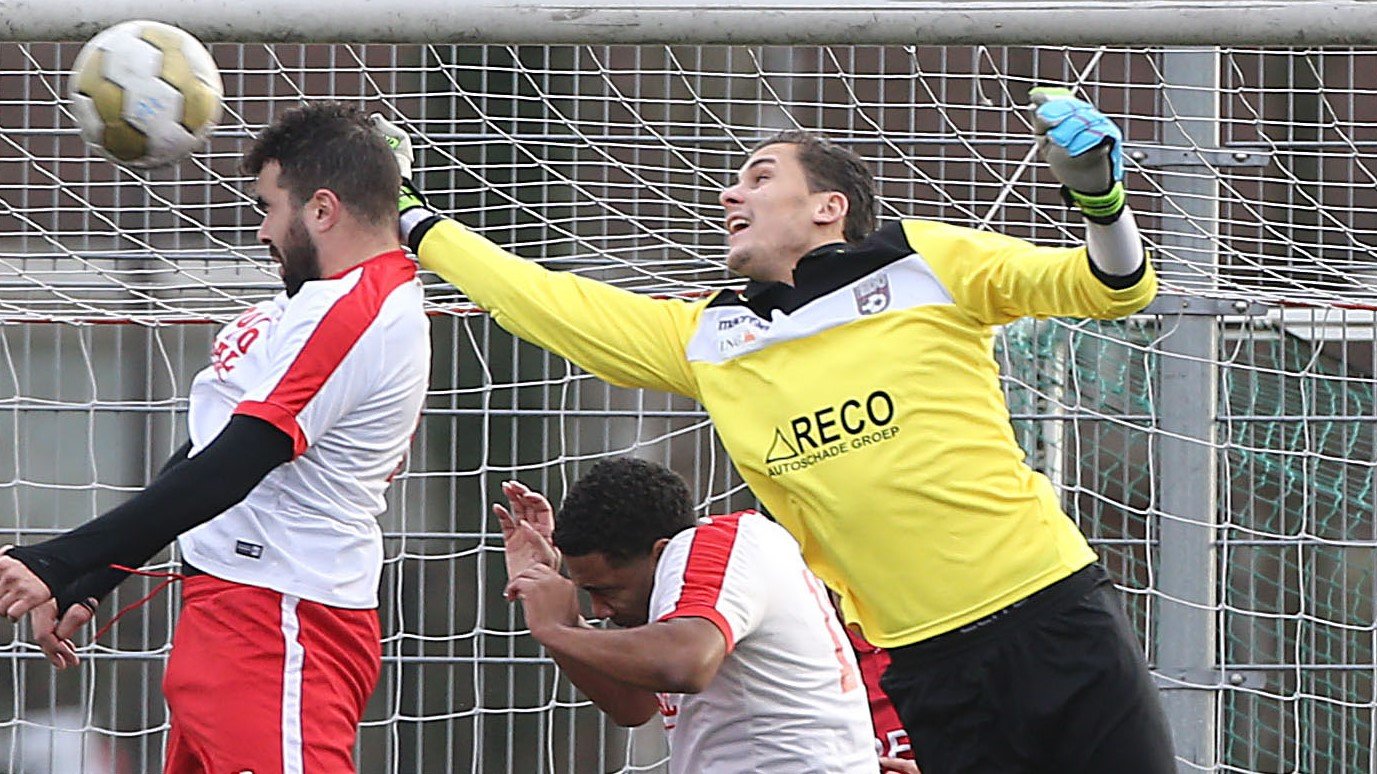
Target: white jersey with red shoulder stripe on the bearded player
(341, 368)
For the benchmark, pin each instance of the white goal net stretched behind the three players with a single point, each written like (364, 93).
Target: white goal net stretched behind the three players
(607, 160)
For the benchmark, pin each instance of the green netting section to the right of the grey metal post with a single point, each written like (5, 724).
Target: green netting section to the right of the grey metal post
(1298, 557)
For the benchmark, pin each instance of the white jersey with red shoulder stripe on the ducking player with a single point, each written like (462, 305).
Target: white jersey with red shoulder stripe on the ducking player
(788, 698)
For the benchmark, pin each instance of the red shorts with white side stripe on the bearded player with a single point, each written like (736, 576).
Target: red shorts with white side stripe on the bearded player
(266, 684)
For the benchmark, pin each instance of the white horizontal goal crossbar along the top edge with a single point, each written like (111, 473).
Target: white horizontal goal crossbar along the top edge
(794, 23)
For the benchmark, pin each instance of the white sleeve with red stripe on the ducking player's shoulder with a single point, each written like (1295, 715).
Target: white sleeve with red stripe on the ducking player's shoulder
(708, 574)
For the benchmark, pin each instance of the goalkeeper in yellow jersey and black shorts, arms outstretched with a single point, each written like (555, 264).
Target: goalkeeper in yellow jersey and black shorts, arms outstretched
(853, 385)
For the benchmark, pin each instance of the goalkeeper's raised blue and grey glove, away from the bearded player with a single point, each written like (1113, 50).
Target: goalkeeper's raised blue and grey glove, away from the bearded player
(1084, 151)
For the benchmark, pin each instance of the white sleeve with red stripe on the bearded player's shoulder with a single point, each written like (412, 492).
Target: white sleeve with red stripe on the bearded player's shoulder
(315, 373)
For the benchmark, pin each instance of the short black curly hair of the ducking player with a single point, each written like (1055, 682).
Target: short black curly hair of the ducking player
(620, 509)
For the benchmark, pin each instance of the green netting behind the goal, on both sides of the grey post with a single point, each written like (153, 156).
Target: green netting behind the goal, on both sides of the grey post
(1296, 556)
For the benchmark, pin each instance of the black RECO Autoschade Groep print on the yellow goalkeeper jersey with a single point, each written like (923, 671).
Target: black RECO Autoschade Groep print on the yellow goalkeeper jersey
(831, 432)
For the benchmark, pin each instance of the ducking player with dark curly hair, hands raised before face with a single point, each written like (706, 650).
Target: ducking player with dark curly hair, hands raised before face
(724, 630)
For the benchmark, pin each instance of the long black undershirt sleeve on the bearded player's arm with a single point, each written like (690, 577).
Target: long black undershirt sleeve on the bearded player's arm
(189, 494)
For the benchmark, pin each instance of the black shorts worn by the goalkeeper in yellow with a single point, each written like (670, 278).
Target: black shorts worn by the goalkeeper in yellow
(1054, 684)
